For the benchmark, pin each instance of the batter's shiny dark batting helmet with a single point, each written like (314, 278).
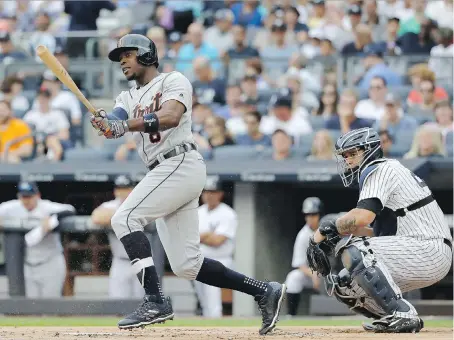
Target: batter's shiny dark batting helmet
(147, 54)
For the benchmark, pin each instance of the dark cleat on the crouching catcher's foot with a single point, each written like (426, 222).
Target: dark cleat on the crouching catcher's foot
(392, 324)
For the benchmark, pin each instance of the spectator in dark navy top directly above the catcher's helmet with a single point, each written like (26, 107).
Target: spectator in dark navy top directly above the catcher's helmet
(346, 120)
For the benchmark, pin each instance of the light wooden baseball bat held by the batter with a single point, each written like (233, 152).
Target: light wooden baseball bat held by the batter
(54, 65)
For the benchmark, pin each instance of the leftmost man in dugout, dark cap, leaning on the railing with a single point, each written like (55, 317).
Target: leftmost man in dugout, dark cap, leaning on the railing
(45, 265)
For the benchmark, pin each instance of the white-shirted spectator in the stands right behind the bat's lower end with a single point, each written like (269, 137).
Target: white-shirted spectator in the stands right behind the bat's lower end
(60, 99)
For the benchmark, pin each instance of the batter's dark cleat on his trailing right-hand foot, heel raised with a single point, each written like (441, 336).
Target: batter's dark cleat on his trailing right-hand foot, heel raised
(270, 305)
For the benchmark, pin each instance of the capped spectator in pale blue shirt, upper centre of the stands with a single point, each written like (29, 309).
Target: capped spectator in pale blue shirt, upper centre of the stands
(276, 54)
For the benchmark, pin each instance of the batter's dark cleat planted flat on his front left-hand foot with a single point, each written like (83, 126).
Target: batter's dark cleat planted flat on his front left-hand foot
(148, 313)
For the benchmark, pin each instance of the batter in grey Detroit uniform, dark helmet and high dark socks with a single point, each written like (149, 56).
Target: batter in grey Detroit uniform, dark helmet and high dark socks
(157, 111)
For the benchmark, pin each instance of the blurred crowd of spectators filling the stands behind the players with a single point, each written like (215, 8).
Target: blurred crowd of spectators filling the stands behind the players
(267, 75)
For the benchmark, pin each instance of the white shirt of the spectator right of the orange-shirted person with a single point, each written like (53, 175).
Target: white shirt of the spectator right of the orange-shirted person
(48, 123)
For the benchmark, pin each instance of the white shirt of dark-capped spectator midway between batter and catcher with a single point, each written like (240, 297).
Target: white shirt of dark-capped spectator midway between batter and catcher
(295, 126)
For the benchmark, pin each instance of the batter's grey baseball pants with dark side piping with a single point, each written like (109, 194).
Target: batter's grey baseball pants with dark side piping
(170, 195)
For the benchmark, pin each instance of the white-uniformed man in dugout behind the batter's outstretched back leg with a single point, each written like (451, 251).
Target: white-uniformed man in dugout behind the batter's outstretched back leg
(217, 225)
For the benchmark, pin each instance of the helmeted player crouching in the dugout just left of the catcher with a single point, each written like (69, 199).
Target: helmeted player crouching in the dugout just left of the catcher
(302, 276)
